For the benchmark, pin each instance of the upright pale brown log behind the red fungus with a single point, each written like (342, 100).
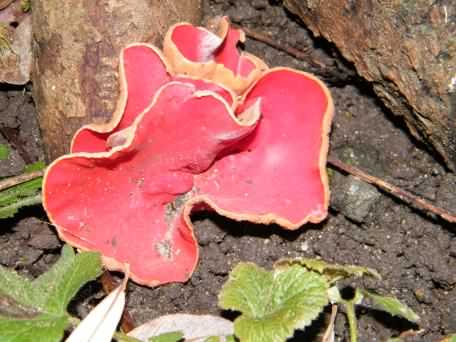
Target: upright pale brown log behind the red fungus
(76, 49)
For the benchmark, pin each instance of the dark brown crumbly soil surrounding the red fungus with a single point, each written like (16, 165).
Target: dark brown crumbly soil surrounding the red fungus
(415, 253)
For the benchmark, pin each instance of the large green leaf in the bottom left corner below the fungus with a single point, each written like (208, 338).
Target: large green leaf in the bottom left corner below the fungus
(35, 310)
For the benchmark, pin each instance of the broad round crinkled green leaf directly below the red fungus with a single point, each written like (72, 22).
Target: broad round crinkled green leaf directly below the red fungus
(273, 303)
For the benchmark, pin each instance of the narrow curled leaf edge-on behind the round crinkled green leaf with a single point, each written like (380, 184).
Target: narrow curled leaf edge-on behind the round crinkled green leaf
(333, 272)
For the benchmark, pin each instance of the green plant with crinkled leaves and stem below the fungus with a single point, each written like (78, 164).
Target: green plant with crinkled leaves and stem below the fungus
(273, 304)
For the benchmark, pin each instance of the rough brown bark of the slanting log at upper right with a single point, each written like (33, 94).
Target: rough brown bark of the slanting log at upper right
(407, 49)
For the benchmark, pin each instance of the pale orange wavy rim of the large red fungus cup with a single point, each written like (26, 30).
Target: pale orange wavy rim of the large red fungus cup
(268, 218)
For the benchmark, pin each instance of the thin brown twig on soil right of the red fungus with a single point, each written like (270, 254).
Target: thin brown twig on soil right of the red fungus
(397, 192)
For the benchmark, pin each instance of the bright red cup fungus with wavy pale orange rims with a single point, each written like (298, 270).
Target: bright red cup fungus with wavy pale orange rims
(186, 135)
